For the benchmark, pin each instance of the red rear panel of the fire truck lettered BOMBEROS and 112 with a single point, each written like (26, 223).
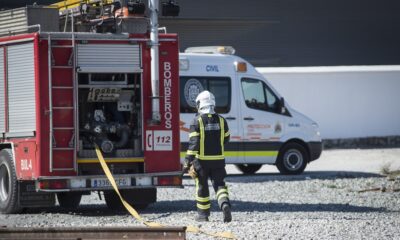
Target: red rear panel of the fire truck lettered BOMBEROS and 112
(169, 108)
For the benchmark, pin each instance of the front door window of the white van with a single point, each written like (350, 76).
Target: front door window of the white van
(258, 95)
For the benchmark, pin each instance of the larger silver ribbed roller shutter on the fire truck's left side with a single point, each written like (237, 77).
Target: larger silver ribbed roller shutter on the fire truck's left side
(21, 88)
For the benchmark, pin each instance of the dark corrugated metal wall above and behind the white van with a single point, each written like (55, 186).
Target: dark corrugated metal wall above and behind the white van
(294, 33)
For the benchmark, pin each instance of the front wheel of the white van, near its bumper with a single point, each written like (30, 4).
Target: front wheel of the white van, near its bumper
(292, 159)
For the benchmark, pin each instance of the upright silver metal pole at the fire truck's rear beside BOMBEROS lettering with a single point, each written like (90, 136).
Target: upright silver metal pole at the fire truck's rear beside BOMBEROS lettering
(155, 101)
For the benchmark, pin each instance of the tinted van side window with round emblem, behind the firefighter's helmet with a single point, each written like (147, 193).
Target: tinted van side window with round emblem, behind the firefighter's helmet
(190, 87)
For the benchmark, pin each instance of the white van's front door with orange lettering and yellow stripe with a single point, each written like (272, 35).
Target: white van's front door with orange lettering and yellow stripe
(262, 126)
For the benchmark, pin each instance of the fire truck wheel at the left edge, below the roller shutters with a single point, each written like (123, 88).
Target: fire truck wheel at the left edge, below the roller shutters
(8, 184)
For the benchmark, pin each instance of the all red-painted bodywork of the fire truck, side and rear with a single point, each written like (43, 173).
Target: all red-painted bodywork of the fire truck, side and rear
(32, 154)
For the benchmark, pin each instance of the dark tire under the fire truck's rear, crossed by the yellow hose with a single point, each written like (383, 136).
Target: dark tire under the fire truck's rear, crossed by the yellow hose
(137, 198)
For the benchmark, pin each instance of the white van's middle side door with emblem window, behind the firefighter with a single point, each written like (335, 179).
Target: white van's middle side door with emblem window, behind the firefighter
(226, 102)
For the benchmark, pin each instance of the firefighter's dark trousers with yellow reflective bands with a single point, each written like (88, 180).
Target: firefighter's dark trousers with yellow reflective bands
(217, 176)
